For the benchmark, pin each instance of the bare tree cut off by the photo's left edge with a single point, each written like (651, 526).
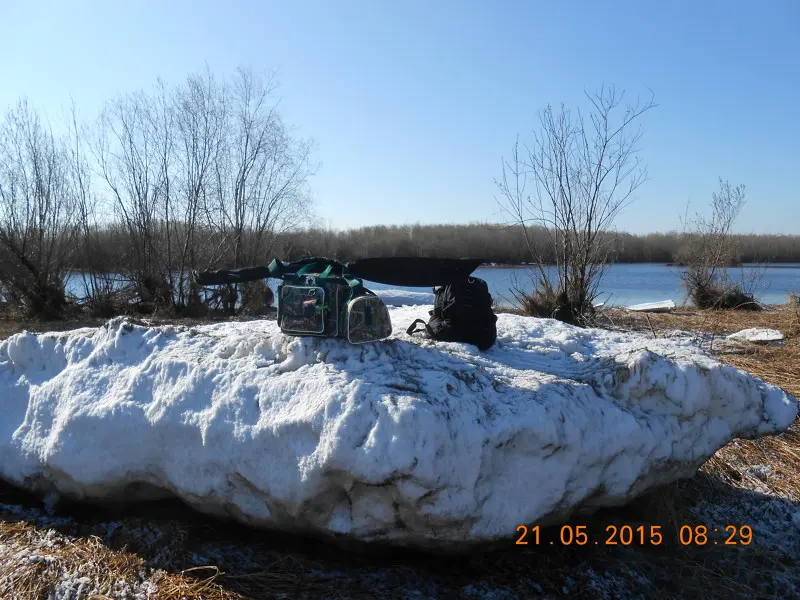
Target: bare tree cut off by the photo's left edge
(37, 214)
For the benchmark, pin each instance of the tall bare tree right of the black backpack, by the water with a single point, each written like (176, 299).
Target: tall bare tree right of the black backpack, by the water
(572, 182)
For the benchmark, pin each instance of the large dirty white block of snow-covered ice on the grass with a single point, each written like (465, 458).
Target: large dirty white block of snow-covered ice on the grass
(407, 441)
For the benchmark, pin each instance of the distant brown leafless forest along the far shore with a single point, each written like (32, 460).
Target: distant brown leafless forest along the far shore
(492, 243)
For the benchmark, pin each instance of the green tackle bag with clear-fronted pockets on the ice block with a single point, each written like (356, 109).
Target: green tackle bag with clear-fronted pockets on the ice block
(320, 297)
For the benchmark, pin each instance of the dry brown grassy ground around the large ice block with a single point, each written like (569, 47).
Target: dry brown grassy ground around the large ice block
(166, 551)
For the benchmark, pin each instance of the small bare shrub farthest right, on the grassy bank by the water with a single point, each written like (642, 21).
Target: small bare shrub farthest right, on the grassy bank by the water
(710, 249)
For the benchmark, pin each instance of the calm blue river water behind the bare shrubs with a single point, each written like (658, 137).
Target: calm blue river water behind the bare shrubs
(622, 285)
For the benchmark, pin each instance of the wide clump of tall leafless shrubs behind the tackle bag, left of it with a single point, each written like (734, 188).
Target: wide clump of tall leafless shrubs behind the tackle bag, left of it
(201, 174)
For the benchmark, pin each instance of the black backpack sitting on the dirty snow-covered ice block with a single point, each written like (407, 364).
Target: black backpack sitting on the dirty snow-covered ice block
(462, 312)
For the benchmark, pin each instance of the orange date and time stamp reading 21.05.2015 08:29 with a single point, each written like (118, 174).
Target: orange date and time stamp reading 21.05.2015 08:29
(628, 535)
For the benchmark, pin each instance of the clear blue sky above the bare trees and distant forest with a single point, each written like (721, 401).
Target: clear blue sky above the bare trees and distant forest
(413, 104)
